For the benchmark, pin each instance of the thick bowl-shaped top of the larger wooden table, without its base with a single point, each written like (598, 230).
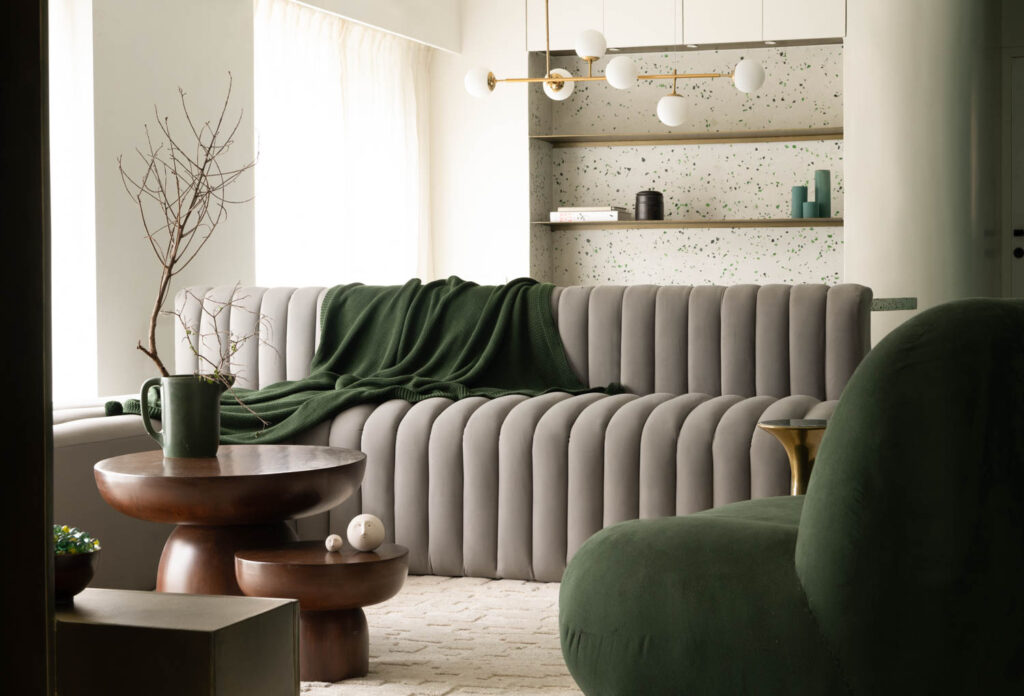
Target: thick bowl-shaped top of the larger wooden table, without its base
(244, 485)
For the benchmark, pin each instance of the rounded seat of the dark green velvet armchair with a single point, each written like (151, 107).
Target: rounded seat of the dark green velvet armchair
(647, 604)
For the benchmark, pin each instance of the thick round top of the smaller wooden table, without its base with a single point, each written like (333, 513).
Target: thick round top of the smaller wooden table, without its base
(321, 580)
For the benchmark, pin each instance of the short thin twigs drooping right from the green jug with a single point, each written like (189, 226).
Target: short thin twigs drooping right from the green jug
(222, 342)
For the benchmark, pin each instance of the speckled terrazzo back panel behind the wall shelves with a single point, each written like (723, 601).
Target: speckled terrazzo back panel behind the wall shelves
(705, 182)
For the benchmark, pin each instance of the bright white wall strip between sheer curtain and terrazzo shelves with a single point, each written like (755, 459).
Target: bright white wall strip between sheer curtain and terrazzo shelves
(480, 151)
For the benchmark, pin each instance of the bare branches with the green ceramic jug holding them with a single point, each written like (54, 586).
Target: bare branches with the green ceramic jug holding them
(183, 197)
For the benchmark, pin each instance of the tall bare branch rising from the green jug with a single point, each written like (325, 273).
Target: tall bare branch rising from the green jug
(182, 196)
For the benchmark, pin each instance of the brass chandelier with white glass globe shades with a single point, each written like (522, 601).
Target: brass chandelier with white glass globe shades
(621, 73)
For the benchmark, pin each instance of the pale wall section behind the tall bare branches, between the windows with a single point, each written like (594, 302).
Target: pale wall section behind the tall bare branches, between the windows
(143, 52)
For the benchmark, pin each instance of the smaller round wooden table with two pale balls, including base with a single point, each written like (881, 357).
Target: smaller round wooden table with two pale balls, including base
(332, 589)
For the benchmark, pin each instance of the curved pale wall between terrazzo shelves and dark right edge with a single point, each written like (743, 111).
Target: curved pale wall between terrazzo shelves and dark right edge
(921, 119)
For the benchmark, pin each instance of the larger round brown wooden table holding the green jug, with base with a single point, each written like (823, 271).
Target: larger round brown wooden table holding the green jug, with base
(238, 500)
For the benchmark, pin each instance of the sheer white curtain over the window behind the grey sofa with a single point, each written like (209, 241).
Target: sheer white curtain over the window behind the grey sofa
(342, 118)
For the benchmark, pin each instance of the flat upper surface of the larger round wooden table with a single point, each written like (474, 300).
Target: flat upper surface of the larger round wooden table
(235, 461)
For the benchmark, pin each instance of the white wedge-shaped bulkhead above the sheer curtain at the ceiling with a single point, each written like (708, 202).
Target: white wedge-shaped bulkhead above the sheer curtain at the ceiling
(435, 23)
